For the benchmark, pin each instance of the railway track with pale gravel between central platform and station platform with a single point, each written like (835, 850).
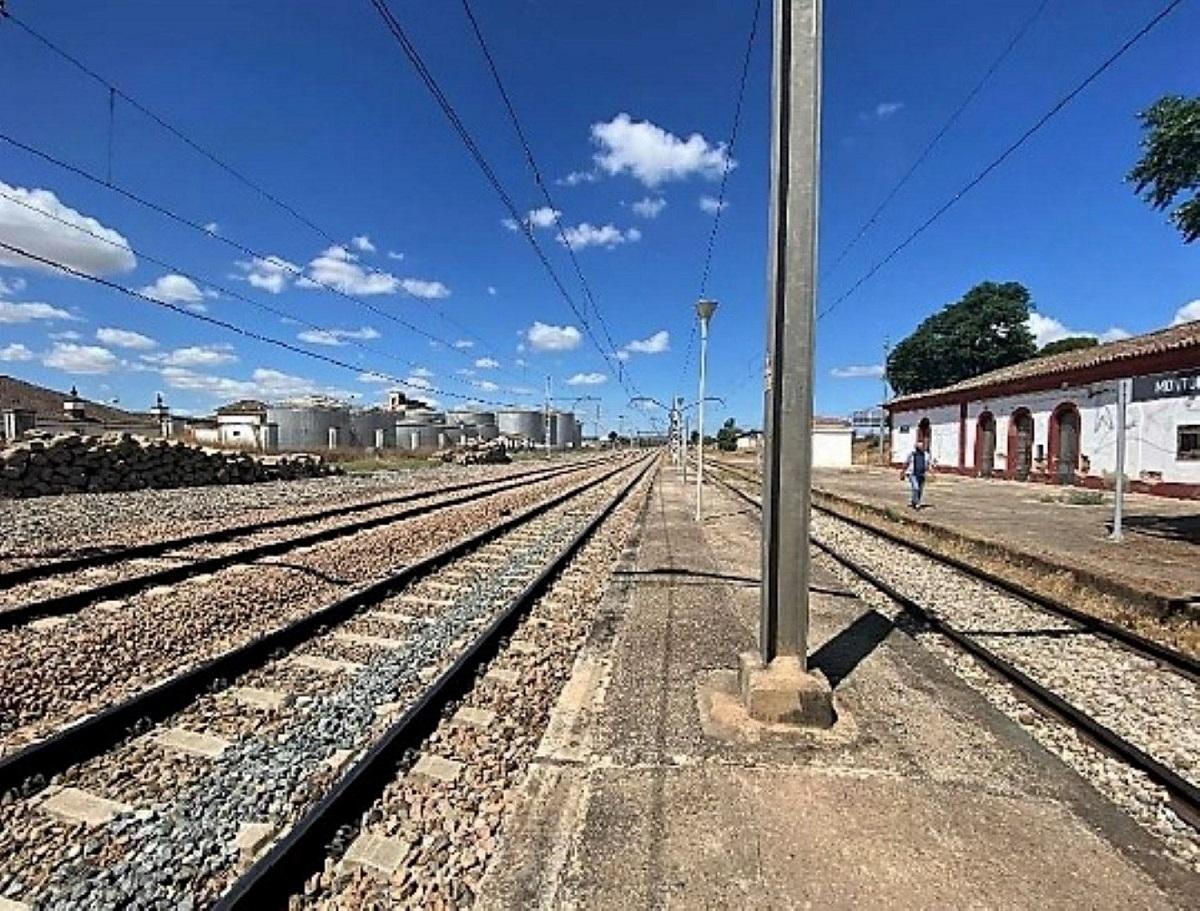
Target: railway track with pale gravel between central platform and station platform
(1133, 699)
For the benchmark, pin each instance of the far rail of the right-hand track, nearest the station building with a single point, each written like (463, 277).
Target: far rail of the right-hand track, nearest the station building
(1178, 661)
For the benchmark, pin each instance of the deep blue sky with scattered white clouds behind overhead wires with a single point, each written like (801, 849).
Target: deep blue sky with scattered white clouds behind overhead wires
(316, 104)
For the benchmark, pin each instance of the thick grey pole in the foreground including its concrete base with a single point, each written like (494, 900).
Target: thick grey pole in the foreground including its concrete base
(776, 685)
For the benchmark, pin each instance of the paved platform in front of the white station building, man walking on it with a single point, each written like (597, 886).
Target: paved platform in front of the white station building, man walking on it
(1160, 556)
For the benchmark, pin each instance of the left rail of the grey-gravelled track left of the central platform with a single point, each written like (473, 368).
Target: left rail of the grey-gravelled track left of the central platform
(37, 764)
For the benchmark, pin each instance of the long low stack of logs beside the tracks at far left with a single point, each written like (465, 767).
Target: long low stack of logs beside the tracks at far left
(74, 464)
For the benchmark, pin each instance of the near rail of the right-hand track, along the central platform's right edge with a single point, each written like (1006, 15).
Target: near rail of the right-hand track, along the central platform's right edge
(1185, 795)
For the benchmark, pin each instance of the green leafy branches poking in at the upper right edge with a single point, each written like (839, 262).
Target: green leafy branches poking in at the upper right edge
(1171, 161)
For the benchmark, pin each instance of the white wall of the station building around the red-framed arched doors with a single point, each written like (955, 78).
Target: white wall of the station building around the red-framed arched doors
(1151, 433)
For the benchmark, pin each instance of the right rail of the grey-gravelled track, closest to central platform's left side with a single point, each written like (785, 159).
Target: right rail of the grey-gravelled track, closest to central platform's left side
(302, 853)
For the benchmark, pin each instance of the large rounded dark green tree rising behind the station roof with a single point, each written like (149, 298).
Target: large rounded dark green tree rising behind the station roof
(986, 331)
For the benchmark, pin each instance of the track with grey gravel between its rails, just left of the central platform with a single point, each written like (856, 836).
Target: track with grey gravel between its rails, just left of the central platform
(267, 752)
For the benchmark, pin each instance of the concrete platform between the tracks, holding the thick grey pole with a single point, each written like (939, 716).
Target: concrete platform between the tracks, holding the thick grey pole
(922, 796)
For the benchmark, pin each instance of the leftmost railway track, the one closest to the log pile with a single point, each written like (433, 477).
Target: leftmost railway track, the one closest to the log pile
(67, 585)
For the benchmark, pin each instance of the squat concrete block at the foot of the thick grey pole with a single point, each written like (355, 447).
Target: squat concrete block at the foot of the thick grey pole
(784, 693)
